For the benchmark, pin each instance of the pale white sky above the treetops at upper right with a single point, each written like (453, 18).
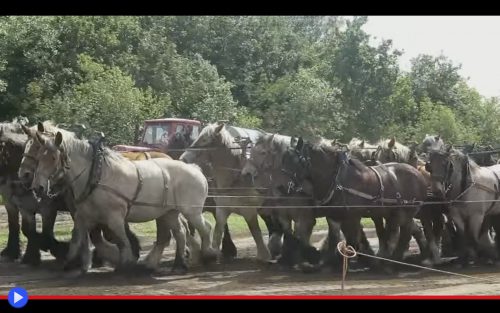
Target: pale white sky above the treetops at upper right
(473, 41)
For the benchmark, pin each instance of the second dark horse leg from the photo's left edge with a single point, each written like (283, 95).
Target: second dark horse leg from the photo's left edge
(28, 226)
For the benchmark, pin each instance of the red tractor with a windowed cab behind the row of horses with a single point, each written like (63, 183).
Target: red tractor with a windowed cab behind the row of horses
(167, 135)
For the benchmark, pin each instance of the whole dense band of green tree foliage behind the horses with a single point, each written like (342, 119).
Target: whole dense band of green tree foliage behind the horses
(304, 75)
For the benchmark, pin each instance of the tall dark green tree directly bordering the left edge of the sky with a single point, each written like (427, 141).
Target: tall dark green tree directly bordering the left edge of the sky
(366, 76)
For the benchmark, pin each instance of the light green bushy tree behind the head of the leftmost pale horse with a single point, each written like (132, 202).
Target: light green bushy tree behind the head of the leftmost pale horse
(106, 101)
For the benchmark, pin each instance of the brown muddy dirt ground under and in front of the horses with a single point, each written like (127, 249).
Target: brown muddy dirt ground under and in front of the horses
(243, 276)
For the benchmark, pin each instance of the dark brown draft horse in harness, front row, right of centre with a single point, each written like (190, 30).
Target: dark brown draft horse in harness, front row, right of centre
(394, 191)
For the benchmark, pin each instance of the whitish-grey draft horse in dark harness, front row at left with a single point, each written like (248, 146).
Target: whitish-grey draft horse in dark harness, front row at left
(150, 189)
